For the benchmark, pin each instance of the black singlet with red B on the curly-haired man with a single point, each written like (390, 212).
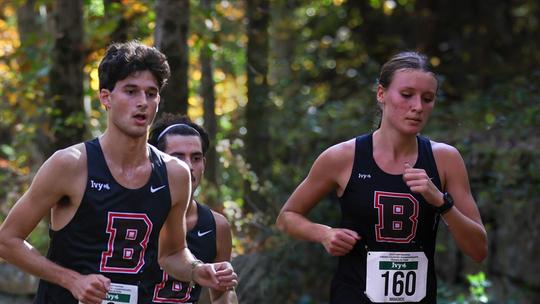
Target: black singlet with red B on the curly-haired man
(115, 230)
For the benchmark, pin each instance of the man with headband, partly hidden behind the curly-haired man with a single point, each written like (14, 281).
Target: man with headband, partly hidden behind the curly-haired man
(208, 232)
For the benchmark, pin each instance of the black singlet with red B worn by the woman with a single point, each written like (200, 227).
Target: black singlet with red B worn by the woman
(388, 217)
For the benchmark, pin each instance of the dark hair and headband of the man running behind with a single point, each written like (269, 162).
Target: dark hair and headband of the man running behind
(176, 124)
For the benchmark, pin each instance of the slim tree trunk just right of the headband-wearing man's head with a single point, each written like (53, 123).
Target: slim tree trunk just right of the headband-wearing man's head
(209, 100)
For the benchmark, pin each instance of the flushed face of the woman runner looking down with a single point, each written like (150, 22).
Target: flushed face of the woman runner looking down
(409, 99)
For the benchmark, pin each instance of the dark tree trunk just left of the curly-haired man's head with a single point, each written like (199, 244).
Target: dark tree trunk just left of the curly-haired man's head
(66, 76)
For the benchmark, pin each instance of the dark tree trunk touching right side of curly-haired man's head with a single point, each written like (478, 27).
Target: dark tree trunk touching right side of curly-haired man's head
(170, 36)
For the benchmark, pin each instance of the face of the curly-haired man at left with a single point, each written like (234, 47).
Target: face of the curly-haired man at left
(132, 104)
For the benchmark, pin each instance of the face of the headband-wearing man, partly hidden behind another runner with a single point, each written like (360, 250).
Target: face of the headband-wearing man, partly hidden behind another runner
(189, 149)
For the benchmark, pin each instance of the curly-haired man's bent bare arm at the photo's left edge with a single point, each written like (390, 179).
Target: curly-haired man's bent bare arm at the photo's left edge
(48, 187)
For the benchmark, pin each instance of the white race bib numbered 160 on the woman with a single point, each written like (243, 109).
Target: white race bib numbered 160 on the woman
(396, 276)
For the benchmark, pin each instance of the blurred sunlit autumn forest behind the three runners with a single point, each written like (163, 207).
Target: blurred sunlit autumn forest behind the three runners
(275, 82)
